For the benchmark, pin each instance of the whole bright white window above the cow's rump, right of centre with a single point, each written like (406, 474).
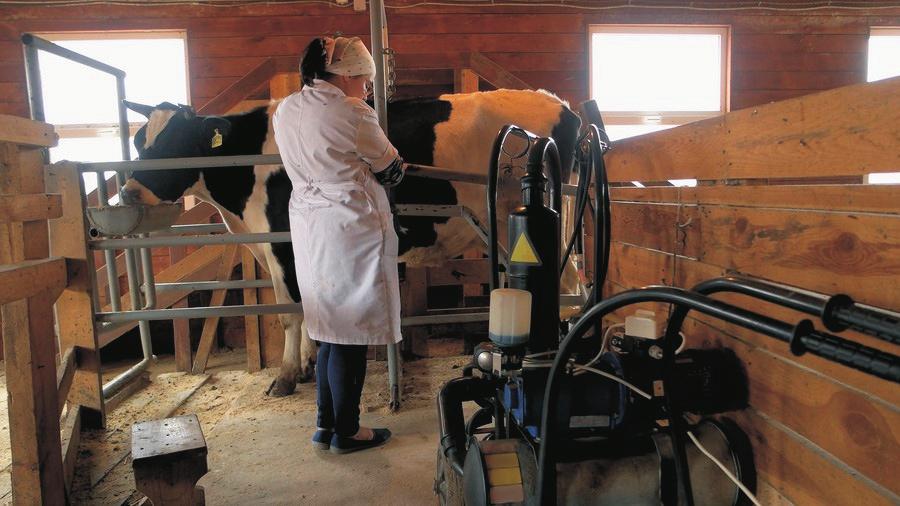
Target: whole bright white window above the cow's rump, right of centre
(647, 78)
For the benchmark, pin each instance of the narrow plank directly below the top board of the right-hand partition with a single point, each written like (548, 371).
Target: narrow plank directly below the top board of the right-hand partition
(851, 198)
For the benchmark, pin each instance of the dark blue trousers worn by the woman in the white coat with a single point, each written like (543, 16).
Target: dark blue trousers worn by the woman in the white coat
(340, 373)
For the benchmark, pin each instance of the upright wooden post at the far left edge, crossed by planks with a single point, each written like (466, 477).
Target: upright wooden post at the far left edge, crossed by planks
(28, 334)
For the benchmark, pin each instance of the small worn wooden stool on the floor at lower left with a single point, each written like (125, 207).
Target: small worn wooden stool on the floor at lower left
(168, 457)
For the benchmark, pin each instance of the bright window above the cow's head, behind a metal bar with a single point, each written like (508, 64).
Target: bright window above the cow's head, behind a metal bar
(81, 101)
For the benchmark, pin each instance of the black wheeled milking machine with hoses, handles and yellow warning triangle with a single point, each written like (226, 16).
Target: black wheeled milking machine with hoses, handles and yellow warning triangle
(571, 415)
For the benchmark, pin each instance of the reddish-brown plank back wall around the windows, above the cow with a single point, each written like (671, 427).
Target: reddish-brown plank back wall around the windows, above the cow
(775, 55)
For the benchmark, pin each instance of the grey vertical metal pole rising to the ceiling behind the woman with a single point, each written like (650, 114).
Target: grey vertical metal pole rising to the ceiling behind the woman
(378, 27)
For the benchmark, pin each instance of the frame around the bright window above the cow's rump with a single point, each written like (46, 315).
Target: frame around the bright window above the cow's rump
(665, 117)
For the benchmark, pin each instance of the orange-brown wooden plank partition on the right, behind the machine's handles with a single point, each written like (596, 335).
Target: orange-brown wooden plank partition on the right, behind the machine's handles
(822, 433)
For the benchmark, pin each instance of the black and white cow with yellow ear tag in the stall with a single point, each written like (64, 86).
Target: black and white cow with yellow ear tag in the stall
(453, 131)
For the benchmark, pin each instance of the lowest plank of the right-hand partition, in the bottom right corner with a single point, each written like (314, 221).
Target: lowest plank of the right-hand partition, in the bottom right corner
(799, 470)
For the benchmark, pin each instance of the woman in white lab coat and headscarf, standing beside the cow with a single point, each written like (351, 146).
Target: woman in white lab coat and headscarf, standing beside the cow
(345, 247)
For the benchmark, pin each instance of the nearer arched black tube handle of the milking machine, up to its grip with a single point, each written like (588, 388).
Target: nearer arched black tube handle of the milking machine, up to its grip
(546, 485)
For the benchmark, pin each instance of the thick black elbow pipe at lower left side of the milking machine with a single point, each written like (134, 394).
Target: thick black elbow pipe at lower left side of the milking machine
(450, 415)
